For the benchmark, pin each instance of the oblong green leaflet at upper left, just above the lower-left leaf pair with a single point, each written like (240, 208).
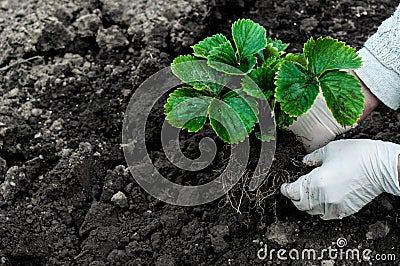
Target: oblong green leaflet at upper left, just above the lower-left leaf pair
(198, 74)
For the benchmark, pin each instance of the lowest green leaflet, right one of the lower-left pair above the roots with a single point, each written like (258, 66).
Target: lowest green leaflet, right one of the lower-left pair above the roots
(233, 117)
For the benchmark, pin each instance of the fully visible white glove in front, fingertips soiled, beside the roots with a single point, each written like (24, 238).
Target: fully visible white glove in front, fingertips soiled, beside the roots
(353, 172)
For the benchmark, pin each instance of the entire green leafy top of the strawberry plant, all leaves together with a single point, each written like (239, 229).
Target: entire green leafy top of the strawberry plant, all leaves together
(289, 82)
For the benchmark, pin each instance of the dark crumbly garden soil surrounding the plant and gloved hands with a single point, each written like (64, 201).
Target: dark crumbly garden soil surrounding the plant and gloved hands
(67, 71)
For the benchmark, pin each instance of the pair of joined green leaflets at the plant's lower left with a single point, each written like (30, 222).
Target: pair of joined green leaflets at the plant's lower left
(232, 118)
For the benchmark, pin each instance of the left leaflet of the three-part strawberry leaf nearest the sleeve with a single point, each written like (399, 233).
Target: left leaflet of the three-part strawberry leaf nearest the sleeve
(296, 90)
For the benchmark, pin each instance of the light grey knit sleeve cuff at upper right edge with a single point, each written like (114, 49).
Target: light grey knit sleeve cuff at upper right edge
(381, 62)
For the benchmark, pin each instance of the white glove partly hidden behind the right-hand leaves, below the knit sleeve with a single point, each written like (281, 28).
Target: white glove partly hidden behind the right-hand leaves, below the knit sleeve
(317, 127)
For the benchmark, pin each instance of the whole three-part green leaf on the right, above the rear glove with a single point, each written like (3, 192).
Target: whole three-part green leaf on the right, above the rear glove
(300, 79)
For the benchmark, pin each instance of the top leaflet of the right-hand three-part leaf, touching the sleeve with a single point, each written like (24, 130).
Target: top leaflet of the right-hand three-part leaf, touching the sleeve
(330, 54)
